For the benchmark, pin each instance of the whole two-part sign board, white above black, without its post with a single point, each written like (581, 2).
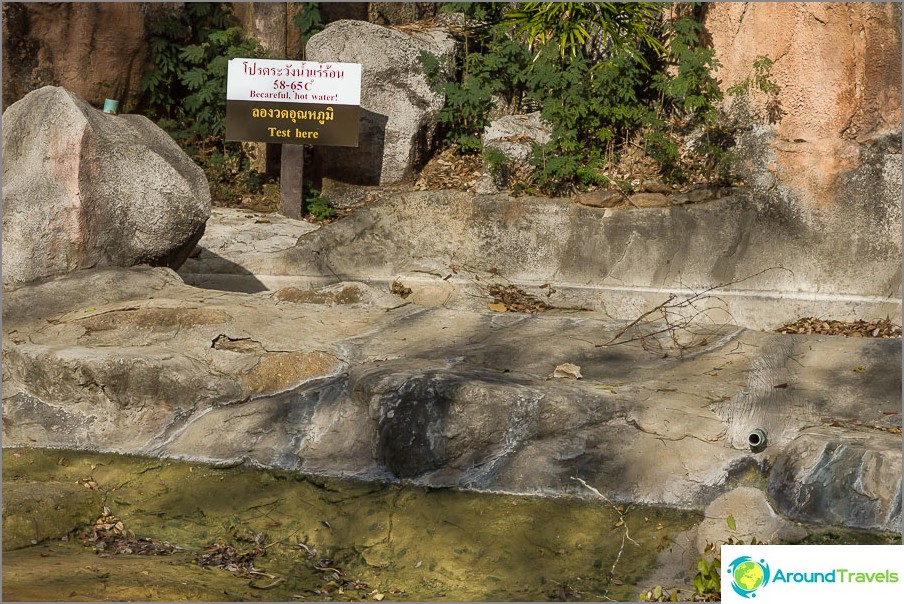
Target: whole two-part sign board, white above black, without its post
(294, 102)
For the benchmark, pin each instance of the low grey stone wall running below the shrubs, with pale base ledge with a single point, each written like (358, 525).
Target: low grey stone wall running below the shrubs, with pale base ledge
(774, 266)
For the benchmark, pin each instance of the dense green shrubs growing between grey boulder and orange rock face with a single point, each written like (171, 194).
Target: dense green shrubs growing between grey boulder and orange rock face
(608, 77)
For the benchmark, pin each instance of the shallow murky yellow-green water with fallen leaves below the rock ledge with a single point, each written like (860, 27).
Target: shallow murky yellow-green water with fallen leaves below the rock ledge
(403, 542)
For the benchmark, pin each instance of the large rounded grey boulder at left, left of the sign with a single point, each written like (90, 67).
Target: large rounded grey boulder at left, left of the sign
(84, 189)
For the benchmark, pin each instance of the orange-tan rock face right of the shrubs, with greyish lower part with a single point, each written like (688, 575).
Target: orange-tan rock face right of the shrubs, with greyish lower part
(829, 141)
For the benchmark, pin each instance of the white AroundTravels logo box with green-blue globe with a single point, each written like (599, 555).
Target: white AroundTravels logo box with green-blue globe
(812, 573)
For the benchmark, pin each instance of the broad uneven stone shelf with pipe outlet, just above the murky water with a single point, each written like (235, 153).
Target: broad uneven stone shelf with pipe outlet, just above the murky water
(444, 397)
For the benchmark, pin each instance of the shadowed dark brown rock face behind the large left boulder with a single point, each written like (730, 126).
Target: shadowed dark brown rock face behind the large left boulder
(96, 50)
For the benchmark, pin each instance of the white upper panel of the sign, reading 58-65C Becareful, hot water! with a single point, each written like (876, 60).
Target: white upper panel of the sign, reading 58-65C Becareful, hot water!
(294, 82)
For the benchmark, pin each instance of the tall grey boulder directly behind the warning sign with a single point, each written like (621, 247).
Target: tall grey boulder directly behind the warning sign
(398, 106)
